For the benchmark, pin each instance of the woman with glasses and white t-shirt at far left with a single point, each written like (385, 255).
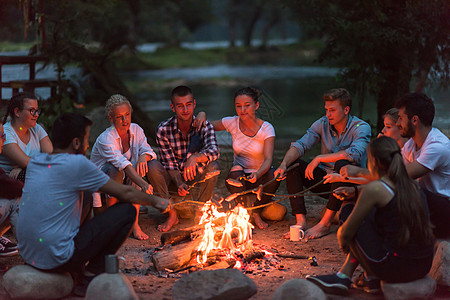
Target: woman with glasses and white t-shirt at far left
(24, 137)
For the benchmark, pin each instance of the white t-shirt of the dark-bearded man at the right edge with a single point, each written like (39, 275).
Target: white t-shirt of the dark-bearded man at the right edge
(435, 156)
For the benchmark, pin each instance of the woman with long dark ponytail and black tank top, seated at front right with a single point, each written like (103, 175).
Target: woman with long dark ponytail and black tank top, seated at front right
(389, 231)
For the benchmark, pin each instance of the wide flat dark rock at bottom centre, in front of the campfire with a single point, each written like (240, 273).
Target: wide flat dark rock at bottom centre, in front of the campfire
(223, 284)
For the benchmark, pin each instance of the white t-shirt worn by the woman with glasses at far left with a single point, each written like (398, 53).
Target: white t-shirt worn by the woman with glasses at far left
(37, 133)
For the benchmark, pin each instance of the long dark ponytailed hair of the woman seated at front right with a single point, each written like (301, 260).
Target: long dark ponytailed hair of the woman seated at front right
(413, 218)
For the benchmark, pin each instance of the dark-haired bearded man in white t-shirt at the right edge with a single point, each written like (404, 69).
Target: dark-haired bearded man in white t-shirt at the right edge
(427, 156)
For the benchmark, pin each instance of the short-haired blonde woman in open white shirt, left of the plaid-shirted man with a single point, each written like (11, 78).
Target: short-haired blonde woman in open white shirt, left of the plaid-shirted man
(122, 152)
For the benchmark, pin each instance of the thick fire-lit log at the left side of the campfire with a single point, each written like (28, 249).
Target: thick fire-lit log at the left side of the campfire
(174, 257)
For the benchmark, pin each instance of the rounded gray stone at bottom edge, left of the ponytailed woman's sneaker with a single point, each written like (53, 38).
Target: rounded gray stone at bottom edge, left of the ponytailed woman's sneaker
(296, 289)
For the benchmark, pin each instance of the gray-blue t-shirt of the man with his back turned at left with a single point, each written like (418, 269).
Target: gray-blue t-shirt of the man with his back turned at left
(50, 208)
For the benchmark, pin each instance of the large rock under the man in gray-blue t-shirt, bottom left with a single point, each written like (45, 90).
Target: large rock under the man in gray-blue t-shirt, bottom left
(26, 282)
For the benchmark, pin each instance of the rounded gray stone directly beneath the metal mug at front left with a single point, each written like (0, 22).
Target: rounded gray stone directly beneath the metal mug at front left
(110, 287)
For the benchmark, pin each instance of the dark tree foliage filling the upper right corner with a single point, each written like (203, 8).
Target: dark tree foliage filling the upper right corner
(382, 45)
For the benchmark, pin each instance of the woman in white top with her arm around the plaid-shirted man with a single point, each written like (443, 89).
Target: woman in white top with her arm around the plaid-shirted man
(253, 143)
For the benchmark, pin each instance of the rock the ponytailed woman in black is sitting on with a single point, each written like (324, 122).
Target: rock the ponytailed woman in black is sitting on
(419, 289)
